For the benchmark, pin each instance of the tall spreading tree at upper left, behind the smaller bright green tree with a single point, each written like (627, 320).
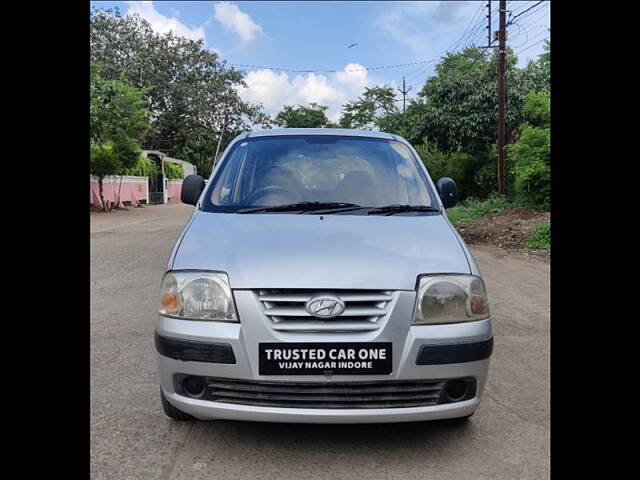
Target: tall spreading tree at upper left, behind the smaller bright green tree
(191, 93)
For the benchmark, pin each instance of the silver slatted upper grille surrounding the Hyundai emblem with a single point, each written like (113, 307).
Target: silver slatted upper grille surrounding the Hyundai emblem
(286, 309)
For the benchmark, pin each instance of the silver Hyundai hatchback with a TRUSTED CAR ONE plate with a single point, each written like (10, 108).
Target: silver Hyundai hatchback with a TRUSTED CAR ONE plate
(320, 281)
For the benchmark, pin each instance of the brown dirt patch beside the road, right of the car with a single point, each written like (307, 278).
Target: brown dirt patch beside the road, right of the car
(508, 230)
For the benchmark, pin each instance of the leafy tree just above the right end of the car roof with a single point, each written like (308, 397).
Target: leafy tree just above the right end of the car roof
(367, 111)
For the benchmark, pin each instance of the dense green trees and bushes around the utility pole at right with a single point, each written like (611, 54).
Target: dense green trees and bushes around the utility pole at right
(453, 125)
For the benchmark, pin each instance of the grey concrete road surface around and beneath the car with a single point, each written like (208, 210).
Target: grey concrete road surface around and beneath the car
(507, 438)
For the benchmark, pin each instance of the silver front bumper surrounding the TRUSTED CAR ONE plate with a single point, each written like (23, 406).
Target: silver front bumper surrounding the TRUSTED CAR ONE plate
(408, 340)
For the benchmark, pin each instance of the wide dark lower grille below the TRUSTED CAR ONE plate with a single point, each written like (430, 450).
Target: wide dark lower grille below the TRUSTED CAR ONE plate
(346, 395)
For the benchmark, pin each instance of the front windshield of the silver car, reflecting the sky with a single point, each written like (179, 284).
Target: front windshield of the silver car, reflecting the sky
(322, 170)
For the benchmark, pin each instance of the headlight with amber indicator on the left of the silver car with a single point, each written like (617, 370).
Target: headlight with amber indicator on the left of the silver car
(197, 296)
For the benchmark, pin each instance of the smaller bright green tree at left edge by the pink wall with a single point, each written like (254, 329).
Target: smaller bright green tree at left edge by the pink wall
(118, 120)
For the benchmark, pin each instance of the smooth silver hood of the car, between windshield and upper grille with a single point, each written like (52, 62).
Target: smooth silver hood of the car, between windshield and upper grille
(321, 252)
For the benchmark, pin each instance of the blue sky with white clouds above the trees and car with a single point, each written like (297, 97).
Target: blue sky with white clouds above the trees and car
(270, 40)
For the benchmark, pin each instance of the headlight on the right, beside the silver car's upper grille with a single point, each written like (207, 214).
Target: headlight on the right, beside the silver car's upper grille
(450, 299)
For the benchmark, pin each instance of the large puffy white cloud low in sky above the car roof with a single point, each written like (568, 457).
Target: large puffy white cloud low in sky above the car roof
(276, 89)
